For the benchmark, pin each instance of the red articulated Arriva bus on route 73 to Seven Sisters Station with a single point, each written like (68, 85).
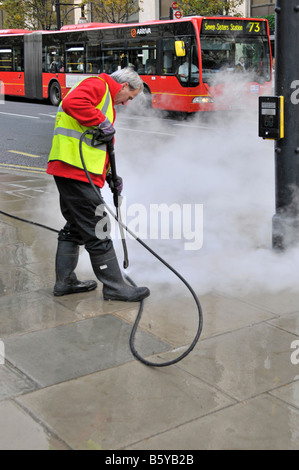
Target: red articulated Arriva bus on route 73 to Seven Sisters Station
(188, 65)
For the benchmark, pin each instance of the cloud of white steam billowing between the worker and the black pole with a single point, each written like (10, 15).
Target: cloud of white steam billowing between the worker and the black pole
(225, 166)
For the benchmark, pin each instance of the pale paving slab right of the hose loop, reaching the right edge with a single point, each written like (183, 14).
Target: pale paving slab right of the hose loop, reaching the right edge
(244, 363)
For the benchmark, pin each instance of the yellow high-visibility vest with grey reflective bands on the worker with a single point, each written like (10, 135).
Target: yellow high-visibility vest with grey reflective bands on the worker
(67, 133)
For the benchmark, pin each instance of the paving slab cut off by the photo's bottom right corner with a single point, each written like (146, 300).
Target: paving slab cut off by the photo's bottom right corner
(263, 423)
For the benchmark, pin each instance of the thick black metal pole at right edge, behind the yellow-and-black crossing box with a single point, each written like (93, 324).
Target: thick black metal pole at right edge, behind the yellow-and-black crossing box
(286, 218)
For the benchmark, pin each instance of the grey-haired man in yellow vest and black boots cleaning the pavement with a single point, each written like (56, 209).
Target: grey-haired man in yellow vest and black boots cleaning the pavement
(90, 104)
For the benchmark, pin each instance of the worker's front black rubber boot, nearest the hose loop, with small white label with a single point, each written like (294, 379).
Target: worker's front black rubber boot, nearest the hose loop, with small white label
(106, 269)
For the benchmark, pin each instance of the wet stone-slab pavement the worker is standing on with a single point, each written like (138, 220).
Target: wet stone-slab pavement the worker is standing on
(70, 382)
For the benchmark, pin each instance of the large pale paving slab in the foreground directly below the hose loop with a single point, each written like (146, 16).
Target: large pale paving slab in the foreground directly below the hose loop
(122, 405)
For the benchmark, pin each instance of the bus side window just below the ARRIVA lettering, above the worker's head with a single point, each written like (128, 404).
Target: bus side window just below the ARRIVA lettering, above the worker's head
(143, 56)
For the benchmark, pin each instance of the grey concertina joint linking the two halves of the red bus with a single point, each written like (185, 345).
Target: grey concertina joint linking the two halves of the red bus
(33, 66)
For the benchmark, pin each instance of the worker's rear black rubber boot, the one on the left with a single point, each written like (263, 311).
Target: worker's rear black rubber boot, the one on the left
(66, 262)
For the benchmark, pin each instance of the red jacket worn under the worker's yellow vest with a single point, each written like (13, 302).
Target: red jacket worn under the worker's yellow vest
(81, 105)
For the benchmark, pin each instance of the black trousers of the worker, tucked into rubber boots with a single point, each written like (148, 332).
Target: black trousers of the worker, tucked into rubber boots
(79, 203)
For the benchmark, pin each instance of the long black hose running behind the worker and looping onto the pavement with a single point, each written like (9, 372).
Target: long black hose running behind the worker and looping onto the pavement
(136, 323)
